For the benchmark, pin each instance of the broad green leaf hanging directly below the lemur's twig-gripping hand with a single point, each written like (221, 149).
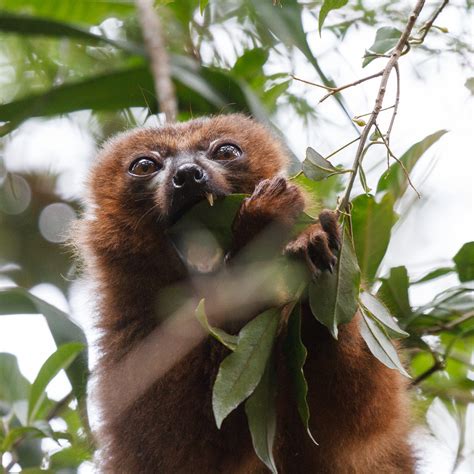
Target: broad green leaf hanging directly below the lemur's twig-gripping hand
(333, 297)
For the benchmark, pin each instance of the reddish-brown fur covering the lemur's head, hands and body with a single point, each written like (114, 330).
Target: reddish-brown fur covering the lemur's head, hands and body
(358, 406)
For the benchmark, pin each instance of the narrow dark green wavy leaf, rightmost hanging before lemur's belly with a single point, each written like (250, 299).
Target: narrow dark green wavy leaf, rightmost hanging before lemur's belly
(296, 353)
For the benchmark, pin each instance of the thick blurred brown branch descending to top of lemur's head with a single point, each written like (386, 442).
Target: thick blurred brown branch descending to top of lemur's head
(159, 59)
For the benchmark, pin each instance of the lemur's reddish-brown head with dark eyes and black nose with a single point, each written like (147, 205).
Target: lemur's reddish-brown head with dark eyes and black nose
(158, 174)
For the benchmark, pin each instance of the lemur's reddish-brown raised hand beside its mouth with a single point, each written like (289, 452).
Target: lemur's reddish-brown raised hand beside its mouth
(274, 201)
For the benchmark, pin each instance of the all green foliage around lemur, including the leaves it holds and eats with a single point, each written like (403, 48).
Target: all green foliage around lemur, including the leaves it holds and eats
(65, 57)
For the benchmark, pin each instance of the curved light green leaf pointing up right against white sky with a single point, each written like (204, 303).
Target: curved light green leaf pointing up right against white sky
(394, 179)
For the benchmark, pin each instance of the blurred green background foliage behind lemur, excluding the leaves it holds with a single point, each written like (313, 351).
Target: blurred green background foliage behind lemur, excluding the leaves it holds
(85, 60)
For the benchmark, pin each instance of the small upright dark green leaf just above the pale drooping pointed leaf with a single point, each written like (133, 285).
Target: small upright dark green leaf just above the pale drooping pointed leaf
(394, 292)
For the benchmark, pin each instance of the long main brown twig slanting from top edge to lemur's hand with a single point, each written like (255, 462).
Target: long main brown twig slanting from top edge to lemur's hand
(344, 204)
